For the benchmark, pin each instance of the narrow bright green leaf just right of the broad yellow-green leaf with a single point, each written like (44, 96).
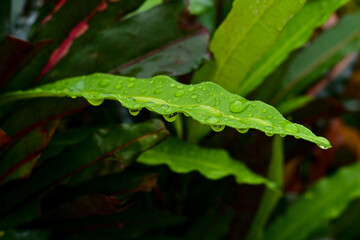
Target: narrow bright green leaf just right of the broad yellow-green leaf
(295, 34)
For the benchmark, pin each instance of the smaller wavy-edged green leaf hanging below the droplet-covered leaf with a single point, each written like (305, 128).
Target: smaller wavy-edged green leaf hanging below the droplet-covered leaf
(214, 164)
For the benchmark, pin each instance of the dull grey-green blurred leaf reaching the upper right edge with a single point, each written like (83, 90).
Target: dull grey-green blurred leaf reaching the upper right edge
(315, 60)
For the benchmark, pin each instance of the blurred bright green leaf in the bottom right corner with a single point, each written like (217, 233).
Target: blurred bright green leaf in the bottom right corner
(324, 201)
